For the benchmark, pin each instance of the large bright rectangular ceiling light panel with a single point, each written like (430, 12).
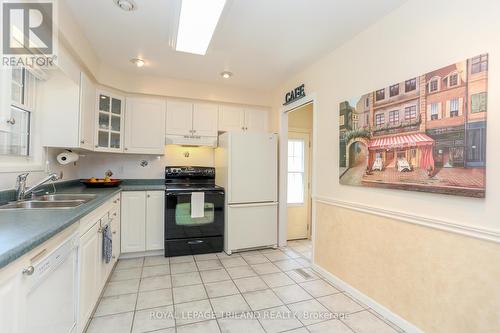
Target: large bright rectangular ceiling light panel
(197, 24)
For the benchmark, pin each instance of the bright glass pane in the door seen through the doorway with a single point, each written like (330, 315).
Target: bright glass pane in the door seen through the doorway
(296, 165)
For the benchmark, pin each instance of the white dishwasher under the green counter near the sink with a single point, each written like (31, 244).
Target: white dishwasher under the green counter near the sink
(51, 291)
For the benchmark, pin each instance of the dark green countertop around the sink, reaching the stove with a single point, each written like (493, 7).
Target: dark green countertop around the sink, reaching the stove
(23, 229)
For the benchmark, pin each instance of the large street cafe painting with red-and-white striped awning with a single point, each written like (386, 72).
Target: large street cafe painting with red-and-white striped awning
(427, 133)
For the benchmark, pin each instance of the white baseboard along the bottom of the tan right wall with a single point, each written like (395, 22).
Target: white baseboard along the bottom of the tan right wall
(379, 308)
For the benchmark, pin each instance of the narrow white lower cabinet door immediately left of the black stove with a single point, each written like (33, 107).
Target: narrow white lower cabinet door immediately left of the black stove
(155, 211)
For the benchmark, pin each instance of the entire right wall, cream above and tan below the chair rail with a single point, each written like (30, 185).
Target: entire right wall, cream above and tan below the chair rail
(437, 280)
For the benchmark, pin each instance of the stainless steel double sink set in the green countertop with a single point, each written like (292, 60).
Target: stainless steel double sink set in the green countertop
(51, 201)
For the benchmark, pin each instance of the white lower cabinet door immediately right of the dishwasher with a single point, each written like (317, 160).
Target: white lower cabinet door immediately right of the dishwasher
(88, 263)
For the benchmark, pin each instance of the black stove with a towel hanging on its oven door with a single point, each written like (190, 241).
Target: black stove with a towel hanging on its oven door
(186, 233)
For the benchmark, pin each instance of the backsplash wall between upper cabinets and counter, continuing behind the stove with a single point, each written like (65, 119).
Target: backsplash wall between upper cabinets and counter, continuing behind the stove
(128, 165)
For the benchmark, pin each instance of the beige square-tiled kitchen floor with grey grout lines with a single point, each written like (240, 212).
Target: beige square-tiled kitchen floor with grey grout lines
(262, 291)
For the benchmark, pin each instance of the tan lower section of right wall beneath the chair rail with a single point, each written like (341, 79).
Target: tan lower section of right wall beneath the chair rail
(437, 280)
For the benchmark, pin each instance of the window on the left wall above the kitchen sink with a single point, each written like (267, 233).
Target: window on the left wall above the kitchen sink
(15, 132)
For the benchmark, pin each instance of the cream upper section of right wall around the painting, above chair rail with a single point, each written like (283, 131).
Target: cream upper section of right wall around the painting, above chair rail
(418, 37)
